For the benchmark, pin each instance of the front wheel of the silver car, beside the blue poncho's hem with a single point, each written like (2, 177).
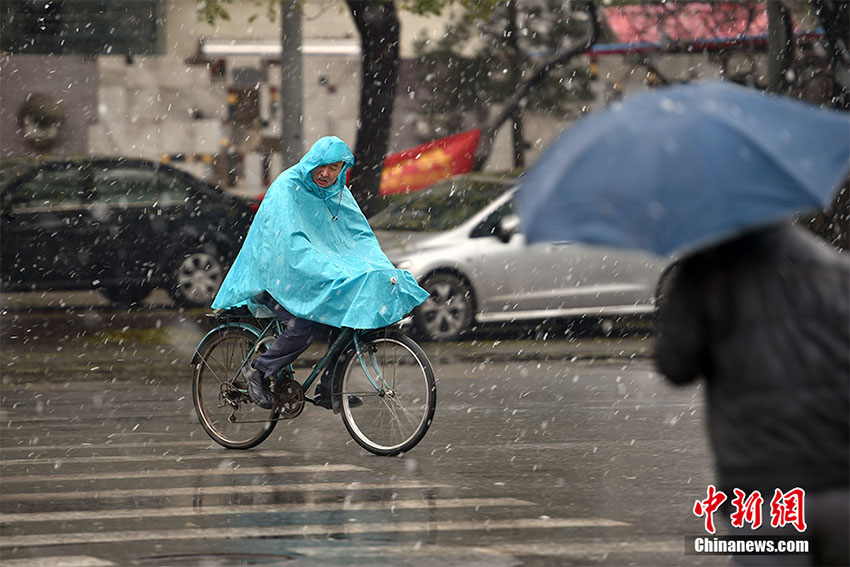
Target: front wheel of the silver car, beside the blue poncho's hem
(447, 313)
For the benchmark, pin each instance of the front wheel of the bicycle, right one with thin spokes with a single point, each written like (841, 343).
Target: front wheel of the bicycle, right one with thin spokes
(395, 382)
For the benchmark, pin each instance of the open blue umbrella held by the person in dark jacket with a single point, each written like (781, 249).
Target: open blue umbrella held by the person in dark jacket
(680, 168)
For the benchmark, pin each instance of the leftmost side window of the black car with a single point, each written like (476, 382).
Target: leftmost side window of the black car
(47, 189)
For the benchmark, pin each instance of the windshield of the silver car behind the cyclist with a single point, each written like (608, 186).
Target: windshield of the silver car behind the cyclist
(442, 206)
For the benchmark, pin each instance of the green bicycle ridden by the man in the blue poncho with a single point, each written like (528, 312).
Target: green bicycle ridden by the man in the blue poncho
(386, 369)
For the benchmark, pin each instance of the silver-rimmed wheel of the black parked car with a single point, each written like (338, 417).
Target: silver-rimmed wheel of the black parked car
(196, 277)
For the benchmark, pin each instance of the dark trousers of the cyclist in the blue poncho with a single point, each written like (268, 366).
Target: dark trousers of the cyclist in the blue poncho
(296, 335)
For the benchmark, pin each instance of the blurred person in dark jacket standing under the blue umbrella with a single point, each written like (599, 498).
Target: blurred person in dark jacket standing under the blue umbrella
(765, 320)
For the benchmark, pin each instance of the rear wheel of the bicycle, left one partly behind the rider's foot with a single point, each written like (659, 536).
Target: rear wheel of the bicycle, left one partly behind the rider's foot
(220, 392)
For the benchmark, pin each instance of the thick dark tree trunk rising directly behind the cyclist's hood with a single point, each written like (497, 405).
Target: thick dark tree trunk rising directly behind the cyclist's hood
(378, 25)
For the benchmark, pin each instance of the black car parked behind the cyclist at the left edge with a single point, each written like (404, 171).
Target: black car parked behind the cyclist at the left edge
(120, 226)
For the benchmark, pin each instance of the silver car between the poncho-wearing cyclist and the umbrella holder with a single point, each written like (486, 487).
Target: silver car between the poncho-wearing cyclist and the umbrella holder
(460, 239)
